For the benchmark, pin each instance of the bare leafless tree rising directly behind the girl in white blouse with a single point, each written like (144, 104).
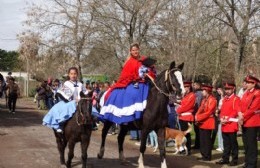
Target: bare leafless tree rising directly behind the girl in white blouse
(63, 25)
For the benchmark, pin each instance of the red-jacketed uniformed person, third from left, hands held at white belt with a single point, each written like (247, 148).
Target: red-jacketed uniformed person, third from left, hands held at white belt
(228, 119)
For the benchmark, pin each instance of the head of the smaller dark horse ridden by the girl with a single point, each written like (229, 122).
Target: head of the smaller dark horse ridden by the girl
(84, 109)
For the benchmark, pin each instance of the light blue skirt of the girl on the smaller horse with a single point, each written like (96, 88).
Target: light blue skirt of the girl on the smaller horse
(59, 113)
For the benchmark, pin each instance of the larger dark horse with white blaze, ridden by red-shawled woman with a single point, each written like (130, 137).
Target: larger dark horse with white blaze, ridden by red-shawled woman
(155, 117)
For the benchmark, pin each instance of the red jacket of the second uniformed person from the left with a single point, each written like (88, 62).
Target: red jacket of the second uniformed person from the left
(205, 113)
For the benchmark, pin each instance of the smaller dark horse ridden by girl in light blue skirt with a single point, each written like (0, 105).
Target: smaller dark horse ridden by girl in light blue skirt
(76, 129)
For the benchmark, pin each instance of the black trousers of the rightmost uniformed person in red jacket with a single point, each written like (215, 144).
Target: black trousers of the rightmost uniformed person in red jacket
(250, 144)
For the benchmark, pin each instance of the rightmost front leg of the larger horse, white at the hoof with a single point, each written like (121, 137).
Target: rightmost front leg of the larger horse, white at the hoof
(161, 142)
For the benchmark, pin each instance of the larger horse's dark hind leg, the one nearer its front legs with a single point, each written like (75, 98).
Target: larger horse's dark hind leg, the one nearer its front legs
(121, 139)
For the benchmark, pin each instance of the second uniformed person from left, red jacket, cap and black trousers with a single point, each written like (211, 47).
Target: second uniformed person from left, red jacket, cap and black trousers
(206, 122)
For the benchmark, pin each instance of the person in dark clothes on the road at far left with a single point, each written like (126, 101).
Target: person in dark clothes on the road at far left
(13, 93)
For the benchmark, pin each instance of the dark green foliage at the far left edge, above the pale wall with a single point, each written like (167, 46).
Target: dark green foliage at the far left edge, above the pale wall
(8, 60)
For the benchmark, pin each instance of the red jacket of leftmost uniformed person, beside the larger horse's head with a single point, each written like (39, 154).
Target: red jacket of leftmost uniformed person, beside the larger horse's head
(186, 108)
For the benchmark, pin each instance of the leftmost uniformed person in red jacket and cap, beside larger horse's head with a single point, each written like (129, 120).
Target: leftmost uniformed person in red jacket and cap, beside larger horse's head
(185, 111)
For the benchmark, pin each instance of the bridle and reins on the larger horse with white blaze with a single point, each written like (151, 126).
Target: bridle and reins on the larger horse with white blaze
(168, 81)
